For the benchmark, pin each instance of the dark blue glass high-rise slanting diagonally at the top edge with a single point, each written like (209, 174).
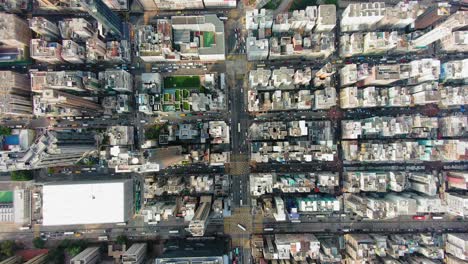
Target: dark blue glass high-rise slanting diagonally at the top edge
(102, 13)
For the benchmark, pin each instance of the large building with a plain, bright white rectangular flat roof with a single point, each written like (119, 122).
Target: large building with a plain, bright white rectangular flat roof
(87, 202)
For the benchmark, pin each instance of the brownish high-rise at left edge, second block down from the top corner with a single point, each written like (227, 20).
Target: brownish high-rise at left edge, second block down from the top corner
(15, 98)
